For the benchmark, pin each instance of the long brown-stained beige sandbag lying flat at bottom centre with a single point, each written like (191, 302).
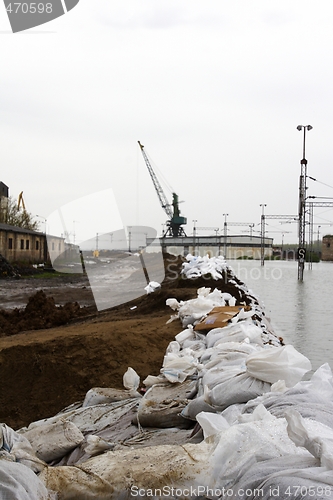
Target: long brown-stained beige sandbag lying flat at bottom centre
(121, 474)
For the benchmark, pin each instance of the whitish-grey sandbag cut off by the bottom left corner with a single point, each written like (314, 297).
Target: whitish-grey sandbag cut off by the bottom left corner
(18, 482)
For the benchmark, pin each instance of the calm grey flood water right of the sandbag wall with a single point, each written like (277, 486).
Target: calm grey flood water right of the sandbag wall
(300, 311)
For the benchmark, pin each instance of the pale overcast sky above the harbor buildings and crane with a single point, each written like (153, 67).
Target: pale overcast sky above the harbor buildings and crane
(214, 90)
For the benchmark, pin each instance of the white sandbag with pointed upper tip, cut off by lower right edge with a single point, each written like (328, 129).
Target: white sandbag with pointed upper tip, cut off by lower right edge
(316, 437)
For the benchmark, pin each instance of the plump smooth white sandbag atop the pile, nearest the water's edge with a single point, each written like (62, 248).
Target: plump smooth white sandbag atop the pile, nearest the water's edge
(278, 363)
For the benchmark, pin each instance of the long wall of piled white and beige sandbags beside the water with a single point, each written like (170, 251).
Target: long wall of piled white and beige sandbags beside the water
(228, 416)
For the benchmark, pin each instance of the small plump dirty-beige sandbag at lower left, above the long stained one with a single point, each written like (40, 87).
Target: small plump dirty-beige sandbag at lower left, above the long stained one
(53, 441)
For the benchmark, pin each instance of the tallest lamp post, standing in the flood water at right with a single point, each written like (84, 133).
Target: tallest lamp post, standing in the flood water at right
(301, 207)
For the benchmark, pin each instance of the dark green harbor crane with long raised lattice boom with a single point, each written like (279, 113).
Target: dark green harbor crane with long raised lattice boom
(176, 221)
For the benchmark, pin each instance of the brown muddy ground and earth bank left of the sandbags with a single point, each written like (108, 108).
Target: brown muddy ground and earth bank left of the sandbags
(51, 354)
